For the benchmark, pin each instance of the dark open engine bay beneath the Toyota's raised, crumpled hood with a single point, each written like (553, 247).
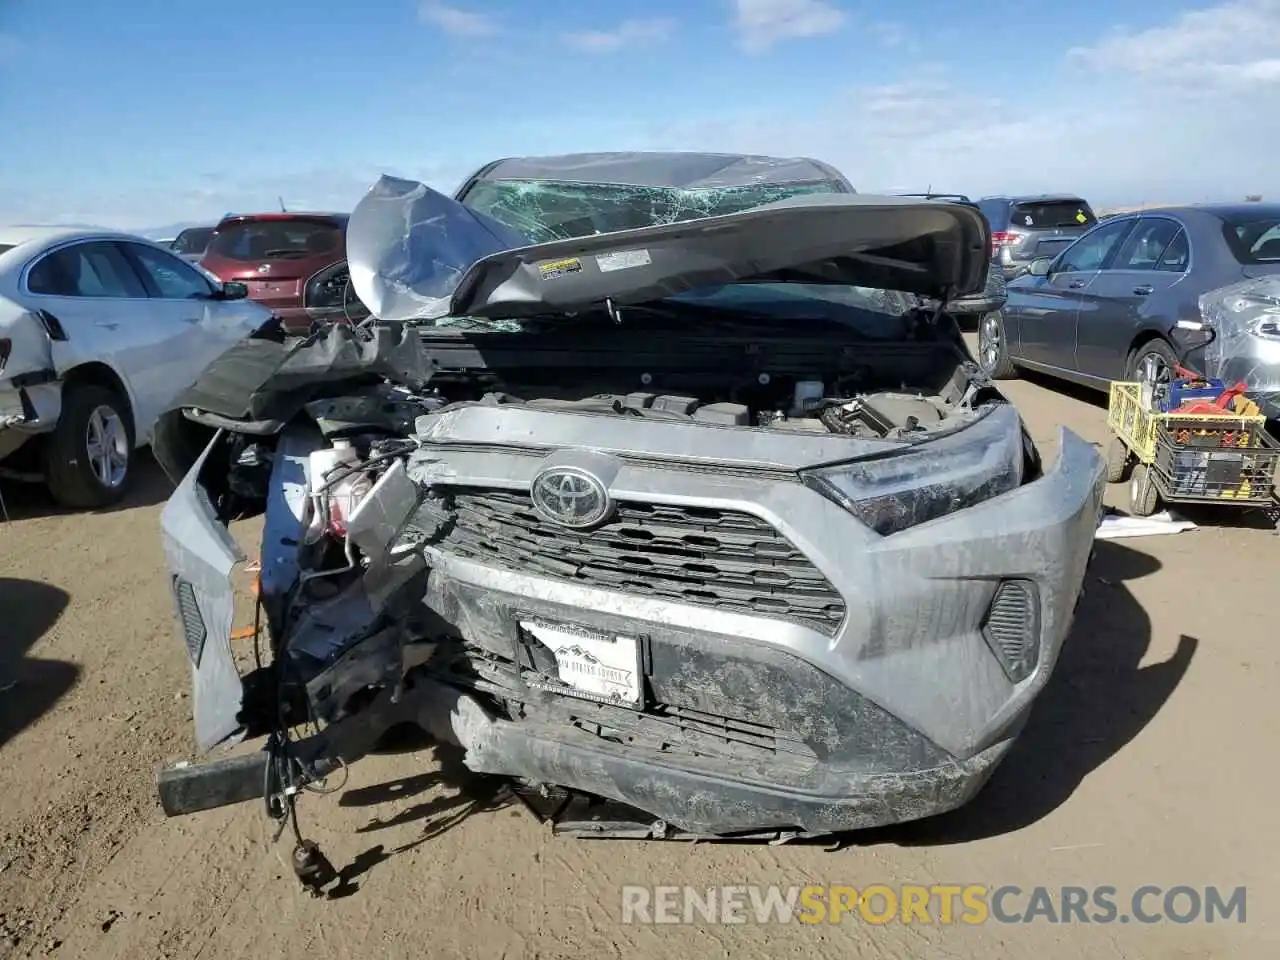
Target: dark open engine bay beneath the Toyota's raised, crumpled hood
(802, 383)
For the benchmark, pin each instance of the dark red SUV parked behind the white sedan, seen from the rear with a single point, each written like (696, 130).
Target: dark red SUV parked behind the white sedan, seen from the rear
(296, 264)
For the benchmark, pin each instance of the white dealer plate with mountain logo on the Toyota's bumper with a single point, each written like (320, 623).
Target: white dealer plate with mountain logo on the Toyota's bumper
(593, 665)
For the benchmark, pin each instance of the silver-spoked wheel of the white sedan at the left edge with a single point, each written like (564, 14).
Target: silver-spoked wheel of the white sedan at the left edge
(89, 458)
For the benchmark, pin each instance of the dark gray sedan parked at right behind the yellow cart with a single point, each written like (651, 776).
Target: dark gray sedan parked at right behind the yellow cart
(1123, 303)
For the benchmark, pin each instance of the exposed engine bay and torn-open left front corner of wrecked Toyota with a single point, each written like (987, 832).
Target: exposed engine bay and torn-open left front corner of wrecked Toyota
(351, 502)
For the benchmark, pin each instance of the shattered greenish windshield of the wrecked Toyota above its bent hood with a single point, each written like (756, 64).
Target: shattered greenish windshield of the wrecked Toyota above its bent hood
(551, 211)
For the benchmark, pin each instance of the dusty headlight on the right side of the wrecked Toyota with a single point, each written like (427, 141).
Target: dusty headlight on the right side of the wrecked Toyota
(900, 490)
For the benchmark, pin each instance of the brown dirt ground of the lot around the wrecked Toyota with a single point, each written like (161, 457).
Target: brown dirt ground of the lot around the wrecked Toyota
(1148, 762)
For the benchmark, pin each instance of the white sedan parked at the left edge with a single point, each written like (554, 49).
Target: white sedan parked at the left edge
(99, 333)
